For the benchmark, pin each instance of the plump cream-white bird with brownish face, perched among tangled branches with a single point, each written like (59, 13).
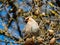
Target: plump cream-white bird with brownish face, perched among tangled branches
(31, 27)
